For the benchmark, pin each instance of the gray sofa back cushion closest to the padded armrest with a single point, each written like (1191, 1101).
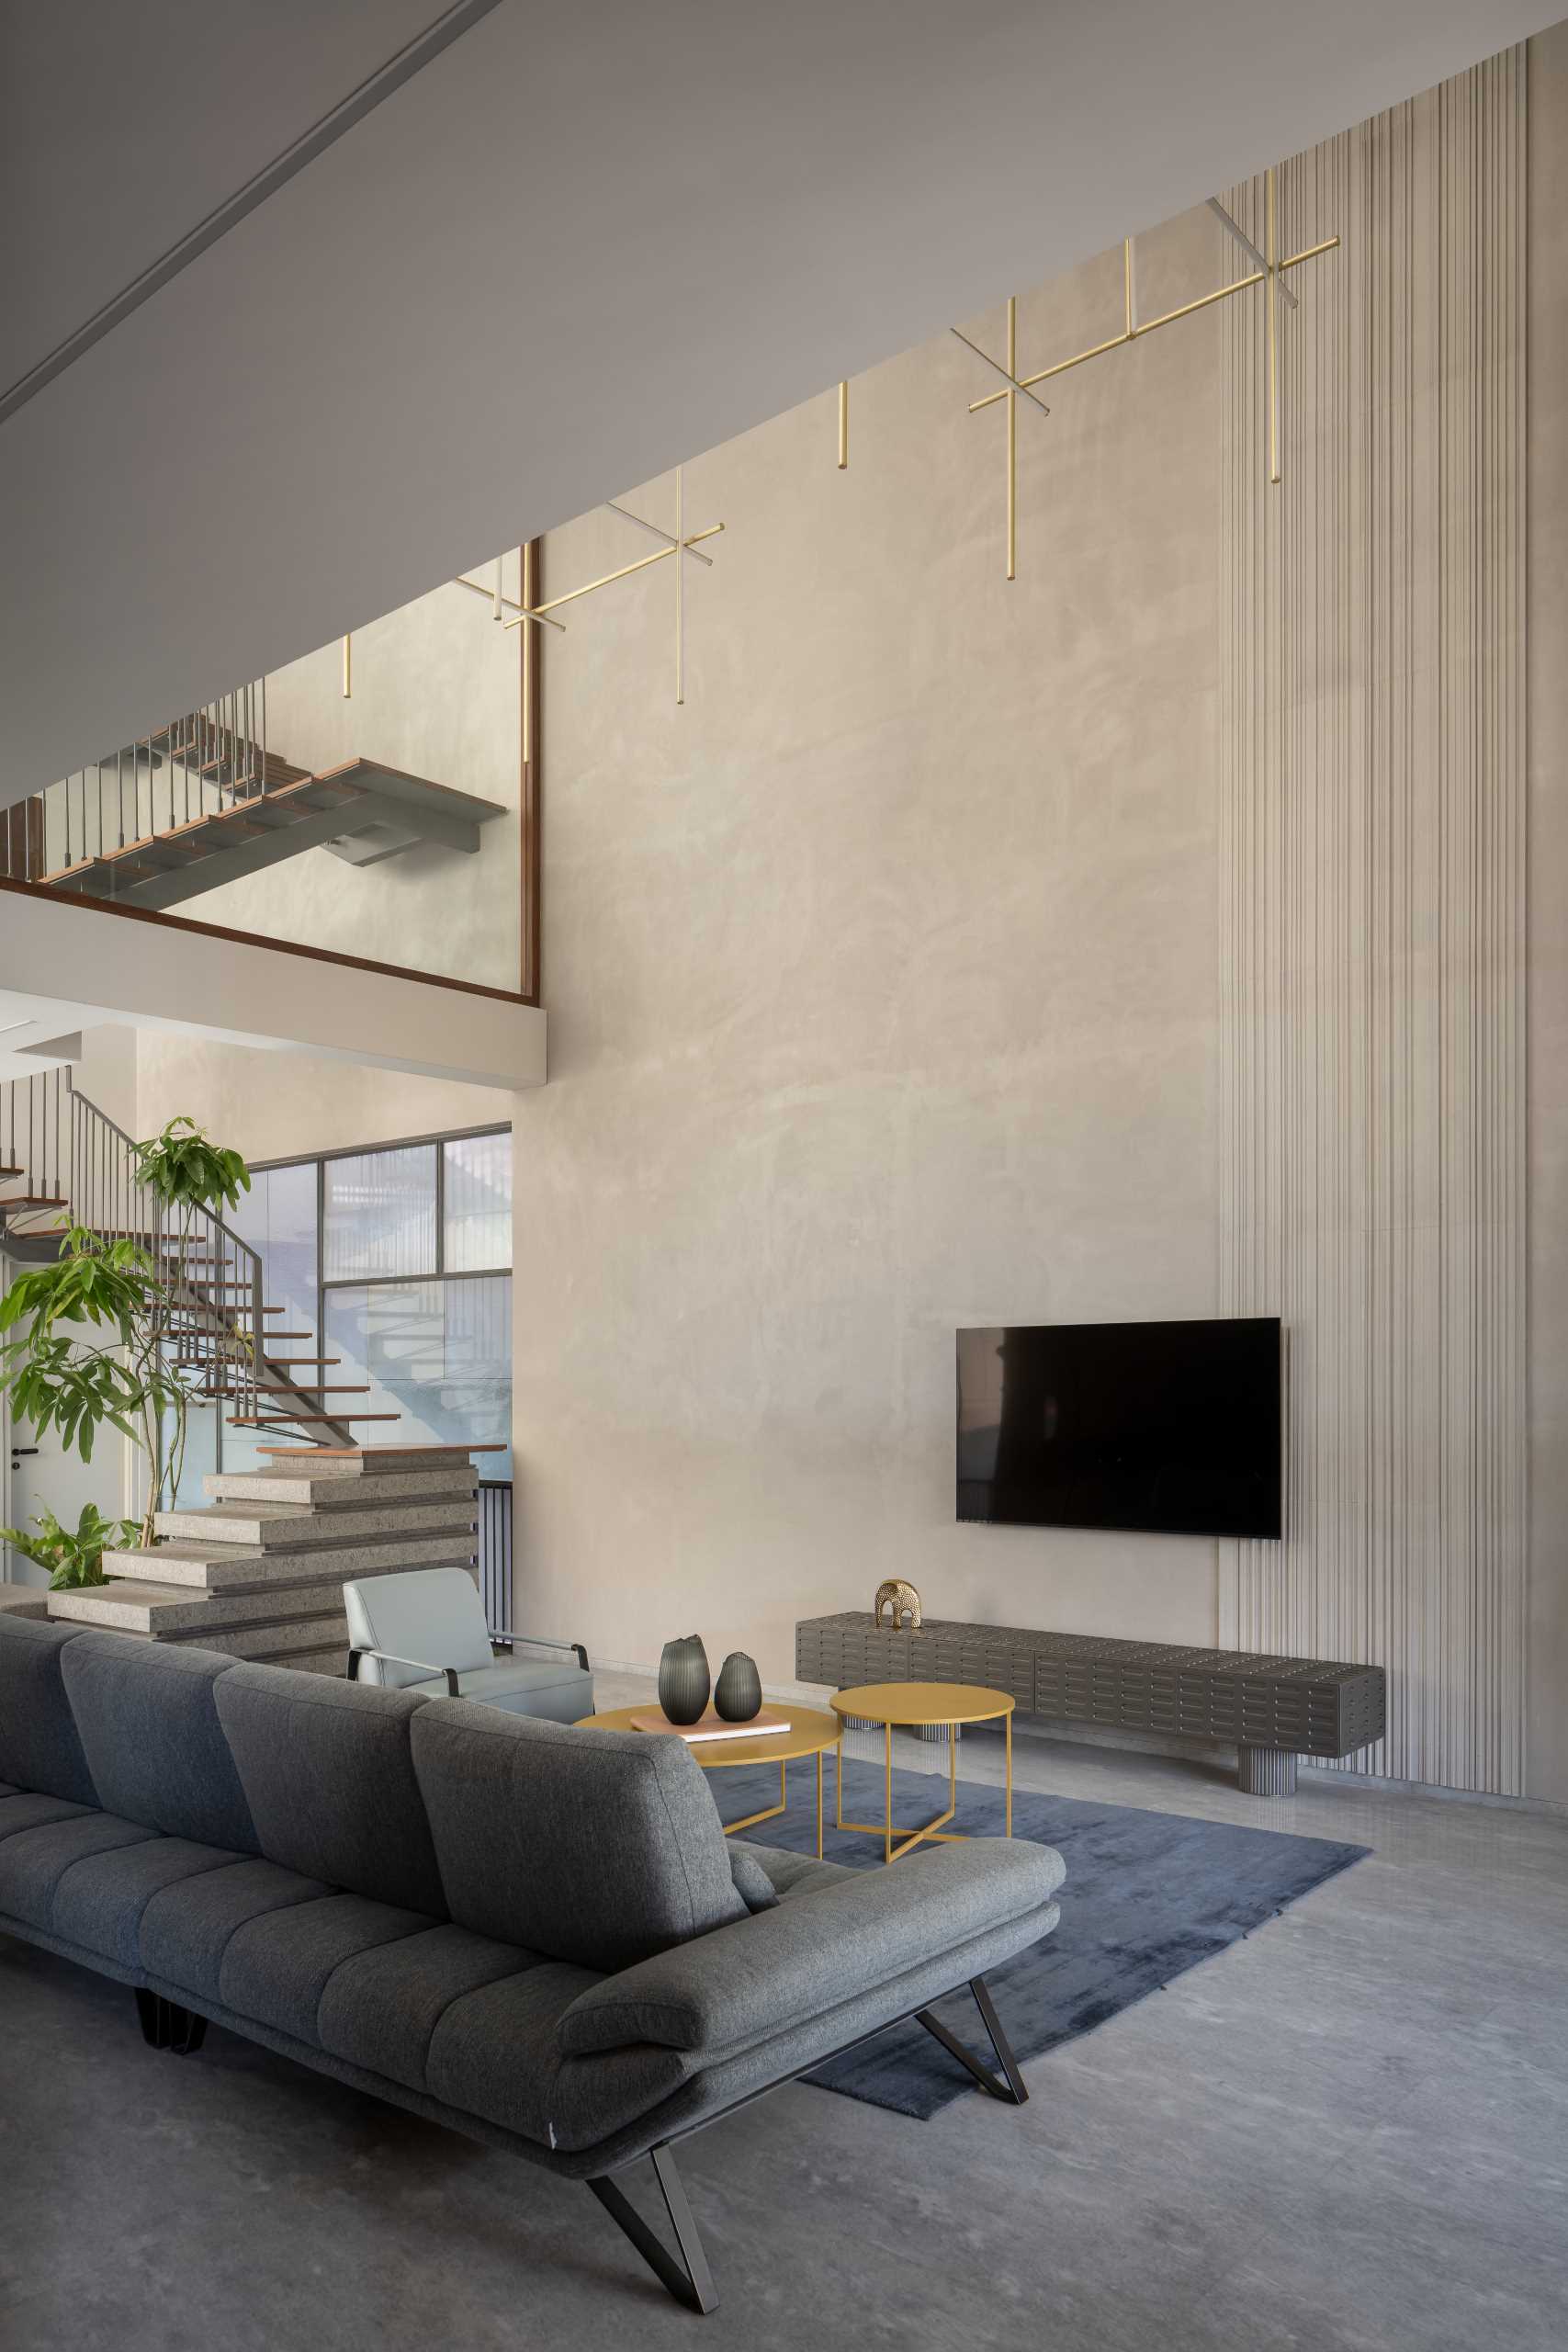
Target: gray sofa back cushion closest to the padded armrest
(596, 1847)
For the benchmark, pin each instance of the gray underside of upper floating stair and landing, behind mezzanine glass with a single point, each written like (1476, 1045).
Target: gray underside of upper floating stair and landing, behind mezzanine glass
(361, 803)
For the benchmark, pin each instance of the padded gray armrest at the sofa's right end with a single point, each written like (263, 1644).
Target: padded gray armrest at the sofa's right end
(815, 1951)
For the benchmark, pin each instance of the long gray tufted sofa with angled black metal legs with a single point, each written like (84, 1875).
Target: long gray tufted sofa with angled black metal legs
(532, 1935)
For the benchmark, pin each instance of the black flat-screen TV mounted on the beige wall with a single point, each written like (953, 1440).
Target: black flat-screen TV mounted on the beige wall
(1162, 1429)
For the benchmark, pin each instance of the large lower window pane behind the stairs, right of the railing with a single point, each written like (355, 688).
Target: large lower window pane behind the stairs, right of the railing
(441, 1354)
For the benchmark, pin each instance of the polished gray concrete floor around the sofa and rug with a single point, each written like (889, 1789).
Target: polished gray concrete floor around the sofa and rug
(1348, 2134)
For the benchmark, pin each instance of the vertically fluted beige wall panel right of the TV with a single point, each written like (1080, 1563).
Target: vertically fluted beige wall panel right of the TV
(1374, 916)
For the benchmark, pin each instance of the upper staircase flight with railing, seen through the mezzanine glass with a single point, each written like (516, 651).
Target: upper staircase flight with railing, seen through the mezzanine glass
(203, 801)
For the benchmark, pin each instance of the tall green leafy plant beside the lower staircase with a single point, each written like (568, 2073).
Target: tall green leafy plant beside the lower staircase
(93, 1325)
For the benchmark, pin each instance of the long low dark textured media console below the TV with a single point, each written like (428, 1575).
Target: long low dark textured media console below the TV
(1271, 1709)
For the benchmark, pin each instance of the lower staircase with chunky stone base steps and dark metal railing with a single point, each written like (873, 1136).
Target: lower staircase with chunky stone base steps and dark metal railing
(260, 1570)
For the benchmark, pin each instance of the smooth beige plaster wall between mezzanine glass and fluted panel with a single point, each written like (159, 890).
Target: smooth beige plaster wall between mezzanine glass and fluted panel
(883, 989)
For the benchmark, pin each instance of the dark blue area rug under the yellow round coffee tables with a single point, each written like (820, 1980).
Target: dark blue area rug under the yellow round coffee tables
(1146, 1899)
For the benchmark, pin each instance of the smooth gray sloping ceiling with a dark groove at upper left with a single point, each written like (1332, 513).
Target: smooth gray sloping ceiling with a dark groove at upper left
(575, 248)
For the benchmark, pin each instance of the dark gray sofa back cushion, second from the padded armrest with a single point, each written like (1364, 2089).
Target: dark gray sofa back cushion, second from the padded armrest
(330, 1784)
